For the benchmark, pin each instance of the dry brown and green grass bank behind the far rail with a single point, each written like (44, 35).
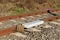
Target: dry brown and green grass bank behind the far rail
(8, 8)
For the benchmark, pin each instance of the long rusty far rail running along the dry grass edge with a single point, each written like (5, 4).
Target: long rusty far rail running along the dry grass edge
(25, 15)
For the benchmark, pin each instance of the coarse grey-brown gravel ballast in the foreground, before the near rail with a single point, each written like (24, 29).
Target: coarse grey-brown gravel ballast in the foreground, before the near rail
(36, 32)
